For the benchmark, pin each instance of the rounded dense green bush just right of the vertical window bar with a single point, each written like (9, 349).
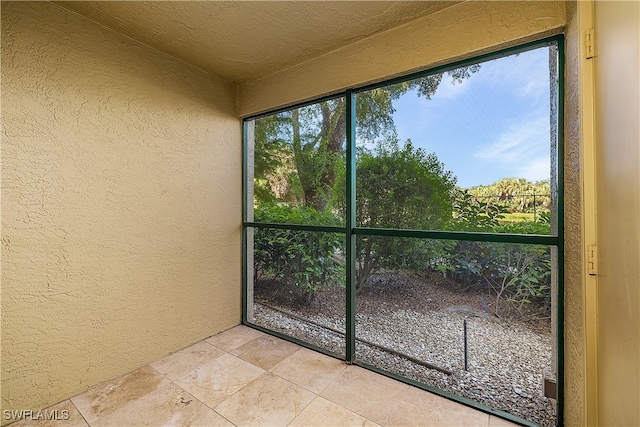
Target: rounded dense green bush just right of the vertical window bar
(399, 187)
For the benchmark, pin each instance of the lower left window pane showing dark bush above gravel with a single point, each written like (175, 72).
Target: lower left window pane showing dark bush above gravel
(298, 285)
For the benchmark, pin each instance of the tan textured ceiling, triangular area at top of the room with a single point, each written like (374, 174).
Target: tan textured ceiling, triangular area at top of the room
(245, 40)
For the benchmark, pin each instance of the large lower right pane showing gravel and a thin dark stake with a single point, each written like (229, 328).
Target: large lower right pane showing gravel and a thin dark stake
(415, 296)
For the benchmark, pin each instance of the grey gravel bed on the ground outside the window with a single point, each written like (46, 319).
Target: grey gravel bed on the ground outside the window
(506, 358)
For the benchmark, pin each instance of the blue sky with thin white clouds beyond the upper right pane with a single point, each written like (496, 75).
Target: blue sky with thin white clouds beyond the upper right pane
(493, 125)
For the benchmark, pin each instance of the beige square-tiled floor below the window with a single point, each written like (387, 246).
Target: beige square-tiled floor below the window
(244, 377)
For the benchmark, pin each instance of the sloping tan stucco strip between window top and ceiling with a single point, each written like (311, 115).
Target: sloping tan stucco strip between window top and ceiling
(459, 31)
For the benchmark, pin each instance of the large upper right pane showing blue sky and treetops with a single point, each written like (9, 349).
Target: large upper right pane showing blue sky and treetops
(469, 149)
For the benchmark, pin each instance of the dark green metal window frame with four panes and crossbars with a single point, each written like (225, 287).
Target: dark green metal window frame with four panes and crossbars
(351, 231)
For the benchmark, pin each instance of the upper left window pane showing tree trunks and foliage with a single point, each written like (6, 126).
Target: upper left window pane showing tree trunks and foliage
(297, 160)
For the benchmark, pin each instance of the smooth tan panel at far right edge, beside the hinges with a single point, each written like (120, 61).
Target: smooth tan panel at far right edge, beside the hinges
(617, 94)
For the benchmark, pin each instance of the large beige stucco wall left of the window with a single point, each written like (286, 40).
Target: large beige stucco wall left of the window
(121, 205)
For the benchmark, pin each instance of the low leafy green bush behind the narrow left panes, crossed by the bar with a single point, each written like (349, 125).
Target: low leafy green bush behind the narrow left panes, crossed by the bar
(298, 262)
